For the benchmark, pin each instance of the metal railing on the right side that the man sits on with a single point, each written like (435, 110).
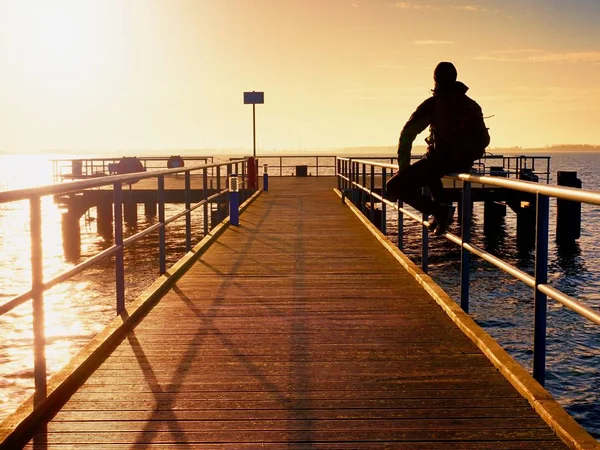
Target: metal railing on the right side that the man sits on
(357, 178)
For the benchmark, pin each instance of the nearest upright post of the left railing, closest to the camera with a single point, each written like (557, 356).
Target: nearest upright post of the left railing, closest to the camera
(37, 288)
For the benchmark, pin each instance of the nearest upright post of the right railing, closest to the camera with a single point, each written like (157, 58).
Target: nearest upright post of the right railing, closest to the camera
(540, 300)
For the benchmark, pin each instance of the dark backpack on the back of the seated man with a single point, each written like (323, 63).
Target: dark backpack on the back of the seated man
(458, 127)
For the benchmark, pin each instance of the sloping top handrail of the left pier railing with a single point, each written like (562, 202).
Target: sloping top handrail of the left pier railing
(75, 186)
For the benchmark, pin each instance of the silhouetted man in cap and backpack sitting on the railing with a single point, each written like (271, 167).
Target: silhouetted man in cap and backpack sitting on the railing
(458, 136)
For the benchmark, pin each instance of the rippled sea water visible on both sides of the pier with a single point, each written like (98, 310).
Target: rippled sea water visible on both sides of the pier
(78, 309)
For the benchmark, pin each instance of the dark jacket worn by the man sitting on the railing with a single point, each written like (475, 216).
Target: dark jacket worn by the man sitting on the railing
(429, 114)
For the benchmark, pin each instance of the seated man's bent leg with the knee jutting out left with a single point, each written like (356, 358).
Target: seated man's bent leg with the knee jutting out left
(405, 185)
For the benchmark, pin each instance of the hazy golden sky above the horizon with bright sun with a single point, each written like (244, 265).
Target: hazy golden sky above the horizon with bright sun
(117, 75)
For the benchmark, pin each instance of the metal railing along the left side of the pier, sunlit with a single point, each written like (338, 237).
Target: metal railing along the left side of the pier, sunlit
(38, 284)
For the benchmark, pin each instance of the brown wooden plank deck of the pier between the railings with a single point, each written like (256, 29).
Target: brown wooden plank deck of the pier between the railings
(297, 330)
